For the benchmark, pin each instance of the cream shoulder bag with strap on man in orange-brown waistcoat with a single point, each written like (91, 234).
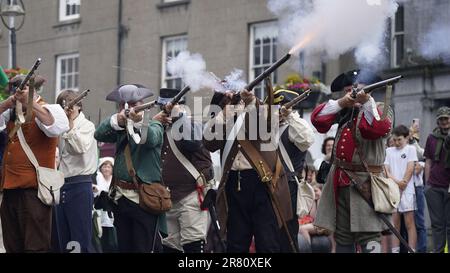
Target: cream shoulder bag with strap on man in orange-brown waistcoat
(49, 180)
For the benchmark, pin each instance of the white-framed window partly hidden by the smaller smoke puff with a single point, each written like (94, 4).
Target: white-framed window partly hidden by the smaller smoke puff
(170, 49)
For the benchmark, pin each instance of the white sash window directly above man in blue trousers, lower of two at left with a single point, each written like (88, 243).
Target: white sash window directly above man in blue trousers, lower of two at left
(67, 72)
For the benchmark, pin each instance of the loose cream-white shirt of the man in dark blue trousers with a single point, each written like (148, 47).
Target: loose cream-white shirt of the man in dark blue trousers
(78, 149)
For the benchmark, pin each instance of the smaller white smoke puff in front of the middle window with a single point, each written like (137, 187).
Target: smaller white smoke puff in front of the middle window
(192, 69)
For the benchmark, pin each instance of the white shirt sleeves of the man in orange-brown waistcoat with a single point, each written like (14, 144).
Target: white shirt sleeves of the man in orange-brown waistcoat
(59, 126)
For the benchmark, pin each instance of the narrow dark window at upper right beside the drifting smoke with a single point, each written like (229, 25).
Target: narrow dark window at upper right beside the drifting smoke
(398, 37)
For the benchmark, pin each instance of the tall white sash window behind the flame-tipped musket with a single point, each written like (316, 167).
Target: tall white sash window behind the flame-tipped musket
(263, 52)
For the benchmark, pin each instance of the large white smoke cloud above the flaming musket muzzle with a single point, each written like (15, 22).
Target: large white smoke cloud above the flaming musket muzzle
(335, 26)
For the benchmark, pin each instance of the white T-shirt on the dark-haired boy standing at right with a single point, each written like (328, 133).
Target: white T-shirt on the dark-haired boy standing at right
(397, 160)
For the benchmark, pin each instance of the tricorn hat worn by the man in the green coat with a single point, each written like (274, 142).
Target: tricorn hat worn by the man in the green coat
(129, 93)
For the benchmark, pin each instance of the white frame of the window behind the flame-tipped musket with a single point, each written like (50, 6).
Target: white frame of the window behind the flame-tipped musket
(271, 26)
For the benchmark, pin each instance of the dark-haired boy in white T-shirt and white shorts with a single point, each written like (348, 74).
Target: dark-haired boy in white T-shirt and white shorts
(399, 164)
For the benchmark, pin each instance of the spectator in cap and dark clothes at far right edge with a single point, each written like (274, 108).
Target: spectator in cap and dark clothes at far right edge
(437, 173)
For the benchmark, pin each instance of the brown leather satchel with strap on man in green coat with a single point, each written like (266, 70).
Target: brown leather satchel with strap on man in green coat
(155, 197)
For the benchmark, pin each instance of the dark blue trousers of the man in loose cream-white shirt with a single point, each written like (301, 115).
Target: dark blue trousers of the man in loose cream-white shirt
(72, 223)
